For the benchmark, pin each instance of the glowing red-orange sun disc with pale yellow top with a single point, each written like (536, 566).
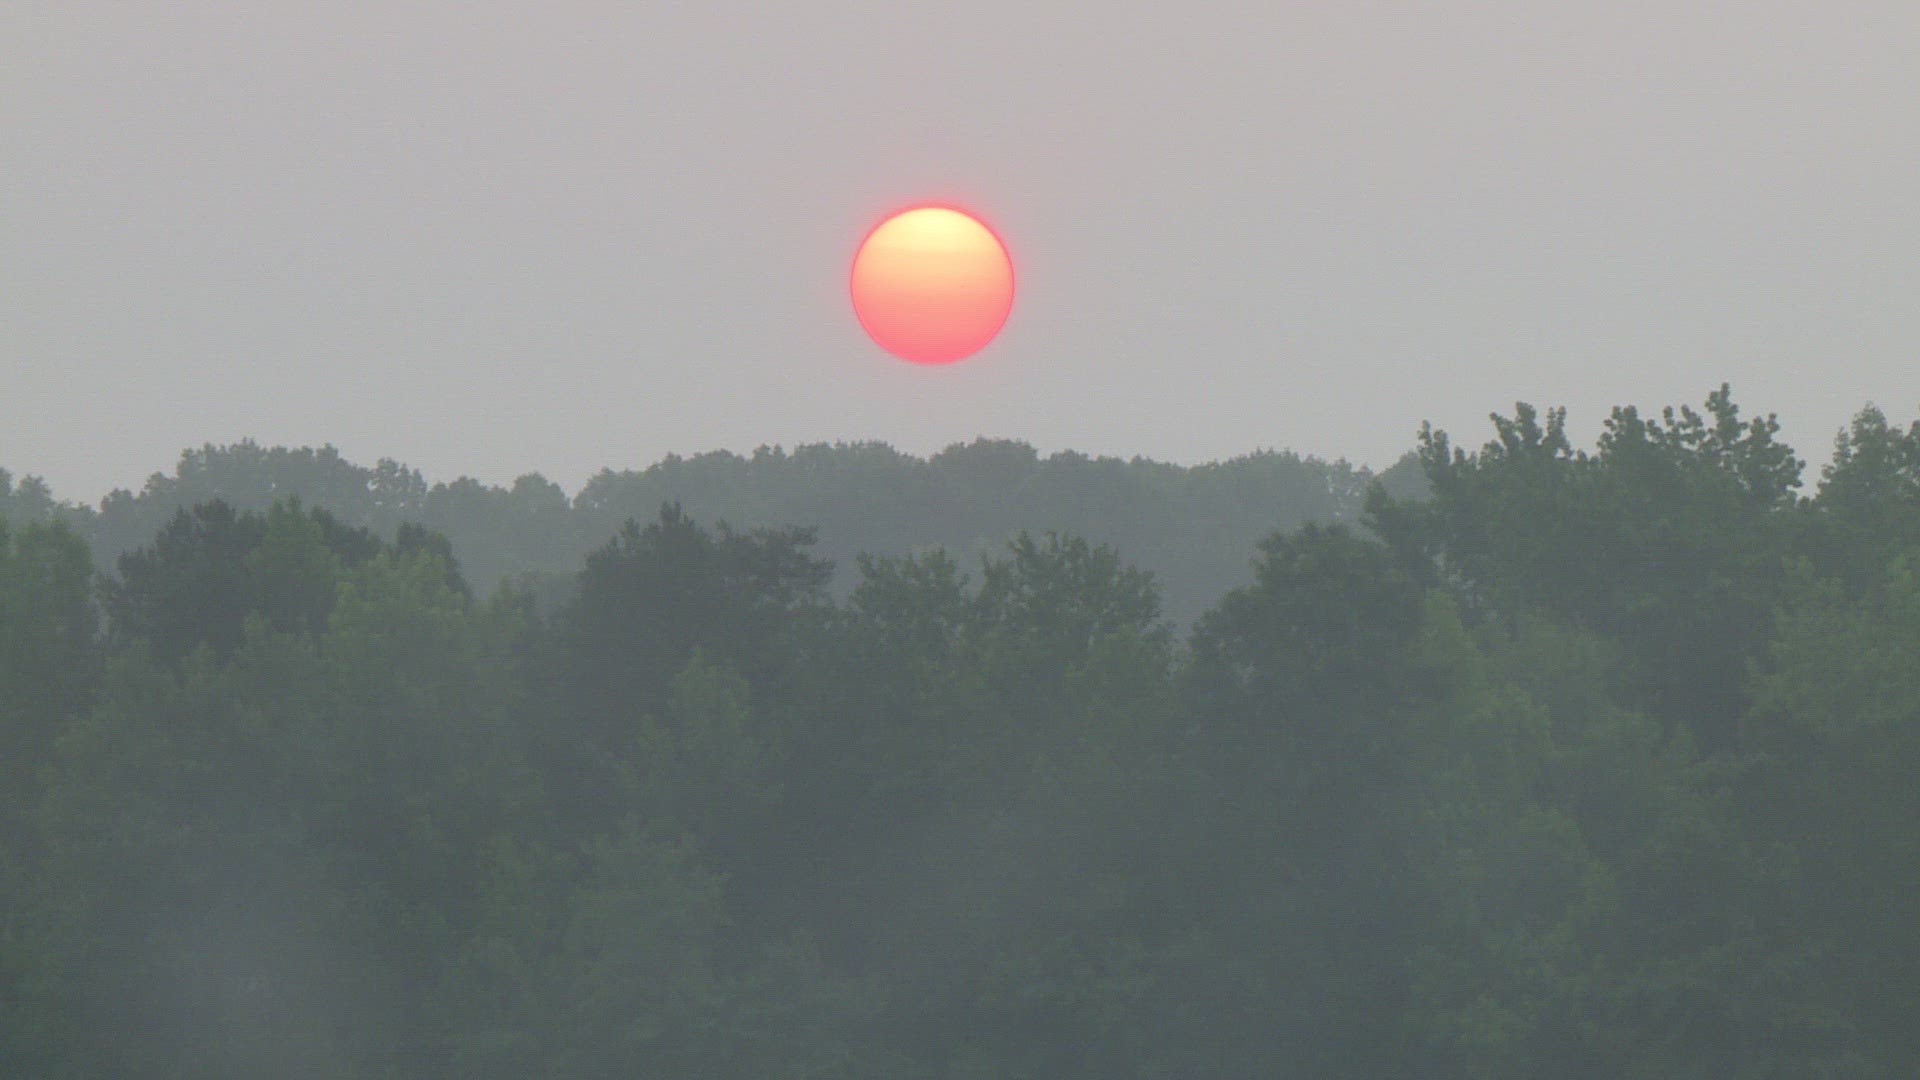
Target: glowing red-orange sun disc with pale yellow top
(932, 285)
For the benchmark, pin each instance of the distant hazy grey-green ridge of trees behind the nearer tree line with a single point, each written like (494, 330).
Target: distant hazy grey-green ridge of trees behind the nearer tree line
(1193, 526)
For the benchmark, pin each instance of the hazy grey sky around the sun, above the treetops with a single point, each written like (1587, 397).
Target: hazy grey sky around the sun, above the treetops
(506, 237)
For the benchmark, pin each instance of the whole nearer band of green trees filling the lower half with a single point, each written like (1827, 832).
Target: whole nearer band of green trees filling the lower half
(1587, 762)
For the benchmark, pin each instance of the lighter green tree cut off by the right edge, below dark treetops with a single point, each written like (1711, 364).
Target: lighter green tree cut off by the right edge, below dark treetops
(1831, 798)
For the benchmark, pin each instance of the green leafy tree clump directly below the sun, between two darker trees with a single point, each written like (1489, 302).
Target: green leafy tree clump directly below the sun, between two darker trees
(965, 764)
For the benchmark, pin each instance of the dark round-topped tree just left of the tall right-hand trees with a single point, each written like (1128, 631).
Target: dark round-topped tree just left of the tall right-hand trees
(1303, 706)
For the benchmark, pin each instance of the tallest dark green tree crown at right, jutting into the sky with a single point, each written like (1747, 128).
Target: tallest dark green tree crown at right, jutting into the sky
(1666, 539)
